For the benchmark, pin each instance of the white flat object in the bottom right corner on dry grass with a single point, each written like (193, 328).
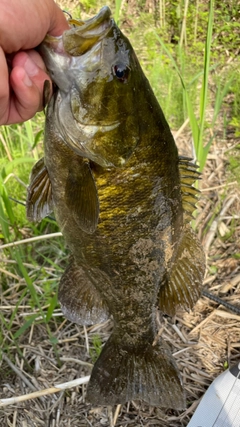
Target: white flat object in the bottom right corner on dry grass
(220, 405)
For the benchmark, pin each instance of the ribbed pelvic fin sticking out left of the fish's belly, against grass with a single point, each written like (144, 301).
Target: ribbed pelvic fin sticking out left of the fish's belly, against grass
(39, 197)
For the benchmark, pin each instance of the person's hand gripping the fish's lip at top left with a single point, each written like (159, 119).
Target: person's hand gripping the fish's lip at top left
(24, 25)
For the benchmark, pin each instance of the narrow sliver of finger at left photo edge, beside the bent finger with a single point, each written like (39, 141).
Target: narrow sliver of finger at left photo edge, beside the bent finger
(4, 88)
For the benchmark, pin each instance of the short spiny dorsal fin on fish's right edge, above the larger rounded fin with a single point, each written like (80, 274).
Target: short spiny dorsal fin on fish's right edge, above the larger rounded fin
(188, 176)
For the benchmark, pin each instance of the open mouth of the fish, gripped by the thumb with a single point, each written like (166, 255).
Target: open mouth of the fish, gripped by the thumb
(85, 34)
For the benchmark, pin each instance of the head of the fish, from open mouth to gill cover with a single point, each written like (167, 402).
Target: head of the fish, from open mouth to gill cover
(98, 78)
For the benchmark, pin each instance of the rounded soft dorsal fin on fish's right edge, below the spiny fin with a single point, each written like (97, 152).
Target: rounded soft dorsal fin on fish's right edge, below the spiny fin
(181, 286)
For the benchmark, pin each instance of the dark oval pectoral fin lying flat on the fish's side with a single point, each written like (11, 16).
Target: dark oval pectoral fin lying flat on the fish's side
(81, 195)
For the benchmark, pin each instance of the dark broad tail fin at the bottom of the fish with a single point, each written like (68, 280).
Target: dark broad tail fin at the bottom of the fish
(148, 373)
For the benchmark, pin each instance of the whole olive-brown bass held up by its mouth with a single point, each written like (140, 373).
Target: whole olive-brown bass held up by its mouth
(123, 199)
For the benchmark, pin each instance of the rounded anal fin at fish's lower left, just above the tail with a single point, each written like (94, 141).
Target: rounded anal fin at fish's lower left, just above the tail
(79, 299)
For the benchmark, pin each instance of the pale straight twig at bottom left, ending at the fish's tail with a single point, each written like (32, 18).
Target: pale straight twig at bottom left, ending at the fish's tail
(45, 392)
